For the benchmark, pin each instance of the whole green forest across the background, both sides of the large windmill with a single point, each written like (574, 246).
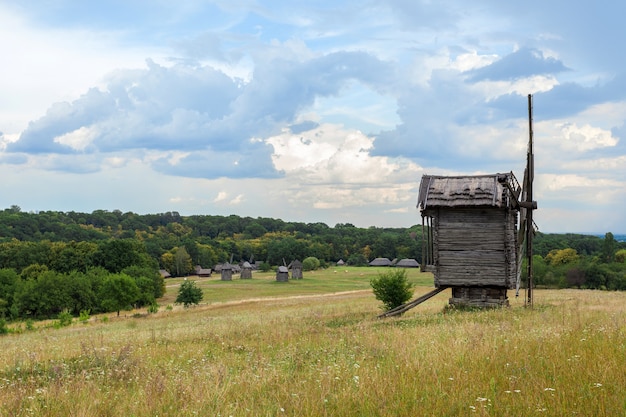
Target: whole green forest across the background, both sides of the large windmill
(53, 261)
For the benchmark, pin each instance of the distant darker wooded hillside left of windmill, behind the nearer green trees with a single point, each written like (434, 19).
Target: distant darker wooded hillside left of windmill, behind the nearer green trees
(178, 243)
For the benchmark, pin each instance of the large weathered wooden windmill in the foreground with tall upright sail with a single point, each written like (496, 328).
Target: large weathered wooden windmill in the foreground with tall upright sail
(476, 230)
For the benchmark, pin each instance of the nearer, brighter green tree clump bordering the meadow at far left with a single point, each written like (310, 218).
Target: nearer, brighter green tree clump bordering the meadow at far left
(42, 279)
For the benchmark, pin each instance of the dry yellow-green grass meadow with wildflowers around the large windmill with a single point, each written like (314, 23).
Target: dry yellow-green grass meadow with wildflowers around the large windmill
(314, 347)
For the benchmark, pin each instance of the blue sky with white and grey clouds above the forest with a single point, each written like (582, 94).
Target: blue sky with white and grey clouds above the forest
(317, 111)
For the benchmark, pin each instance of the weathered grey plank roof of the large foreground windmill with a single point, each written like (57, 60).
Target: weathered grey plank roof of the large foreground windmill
(465, 191)
